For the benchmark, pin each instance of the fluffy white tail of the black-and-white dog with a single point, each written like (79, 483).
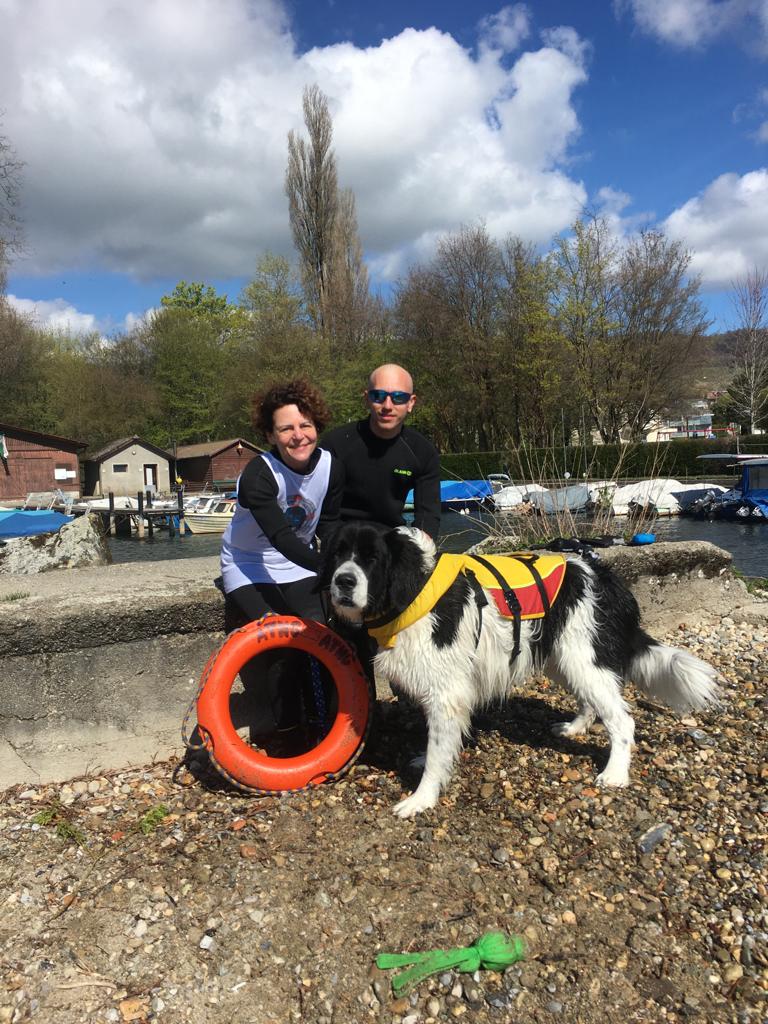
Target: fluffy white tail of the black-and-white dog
(675, 677)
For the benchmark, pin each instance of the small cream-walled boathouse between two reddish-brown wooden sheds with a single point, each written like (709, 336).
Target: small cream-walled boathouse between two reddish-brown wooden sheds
(126, 467)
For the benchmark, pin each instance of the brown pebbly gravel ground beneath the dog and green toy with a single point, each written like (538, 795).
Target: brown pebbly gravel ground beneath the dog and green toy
(137, 898)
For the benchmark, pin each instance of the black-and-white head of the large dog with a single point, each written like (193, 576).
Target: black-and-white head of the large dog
(369, 573)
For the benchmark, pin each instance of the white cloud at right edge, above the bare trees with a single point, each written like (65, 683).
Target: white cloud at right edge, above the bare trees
(727, 227)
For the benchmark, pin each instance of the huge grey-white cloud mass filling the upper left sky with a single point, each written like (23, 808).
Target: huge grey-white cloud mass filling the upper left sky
(155, 134)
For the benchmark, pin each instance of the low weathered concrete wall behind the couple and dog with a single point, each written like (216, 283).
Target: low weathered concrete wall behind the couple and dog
(99, 666)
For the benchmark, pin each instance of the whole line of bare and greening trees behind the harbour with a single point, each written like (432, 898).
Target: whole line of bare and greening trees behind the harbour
(508, 347)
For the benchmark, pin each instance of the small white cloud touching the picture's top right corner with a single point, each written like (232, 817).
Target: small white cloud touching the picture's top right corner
(696, 23)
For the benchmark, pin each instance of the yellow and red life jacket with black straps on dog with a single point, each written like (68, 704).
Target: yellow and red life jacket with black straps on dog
(534, 580)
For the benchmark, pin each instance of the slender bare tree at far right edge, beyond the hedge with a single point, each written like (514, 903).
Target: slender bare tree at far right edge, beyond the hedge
(749, 390)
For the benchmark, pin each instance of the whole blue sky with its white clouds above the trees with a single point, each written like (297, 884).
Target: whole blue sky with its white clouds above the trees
(154, 135)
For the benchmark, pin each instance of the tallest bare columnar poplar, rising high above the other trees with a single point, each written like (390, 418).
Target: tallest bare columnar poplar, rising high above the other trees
(313, 193)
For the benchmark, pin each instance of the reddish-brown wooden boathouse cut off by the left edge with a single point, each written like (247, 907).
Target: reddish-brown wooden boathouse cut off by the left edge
(31, 461)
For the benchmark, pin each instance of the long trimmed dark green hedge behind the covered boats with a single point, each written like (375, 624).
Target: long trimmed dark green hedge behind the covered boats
(675, 459)
